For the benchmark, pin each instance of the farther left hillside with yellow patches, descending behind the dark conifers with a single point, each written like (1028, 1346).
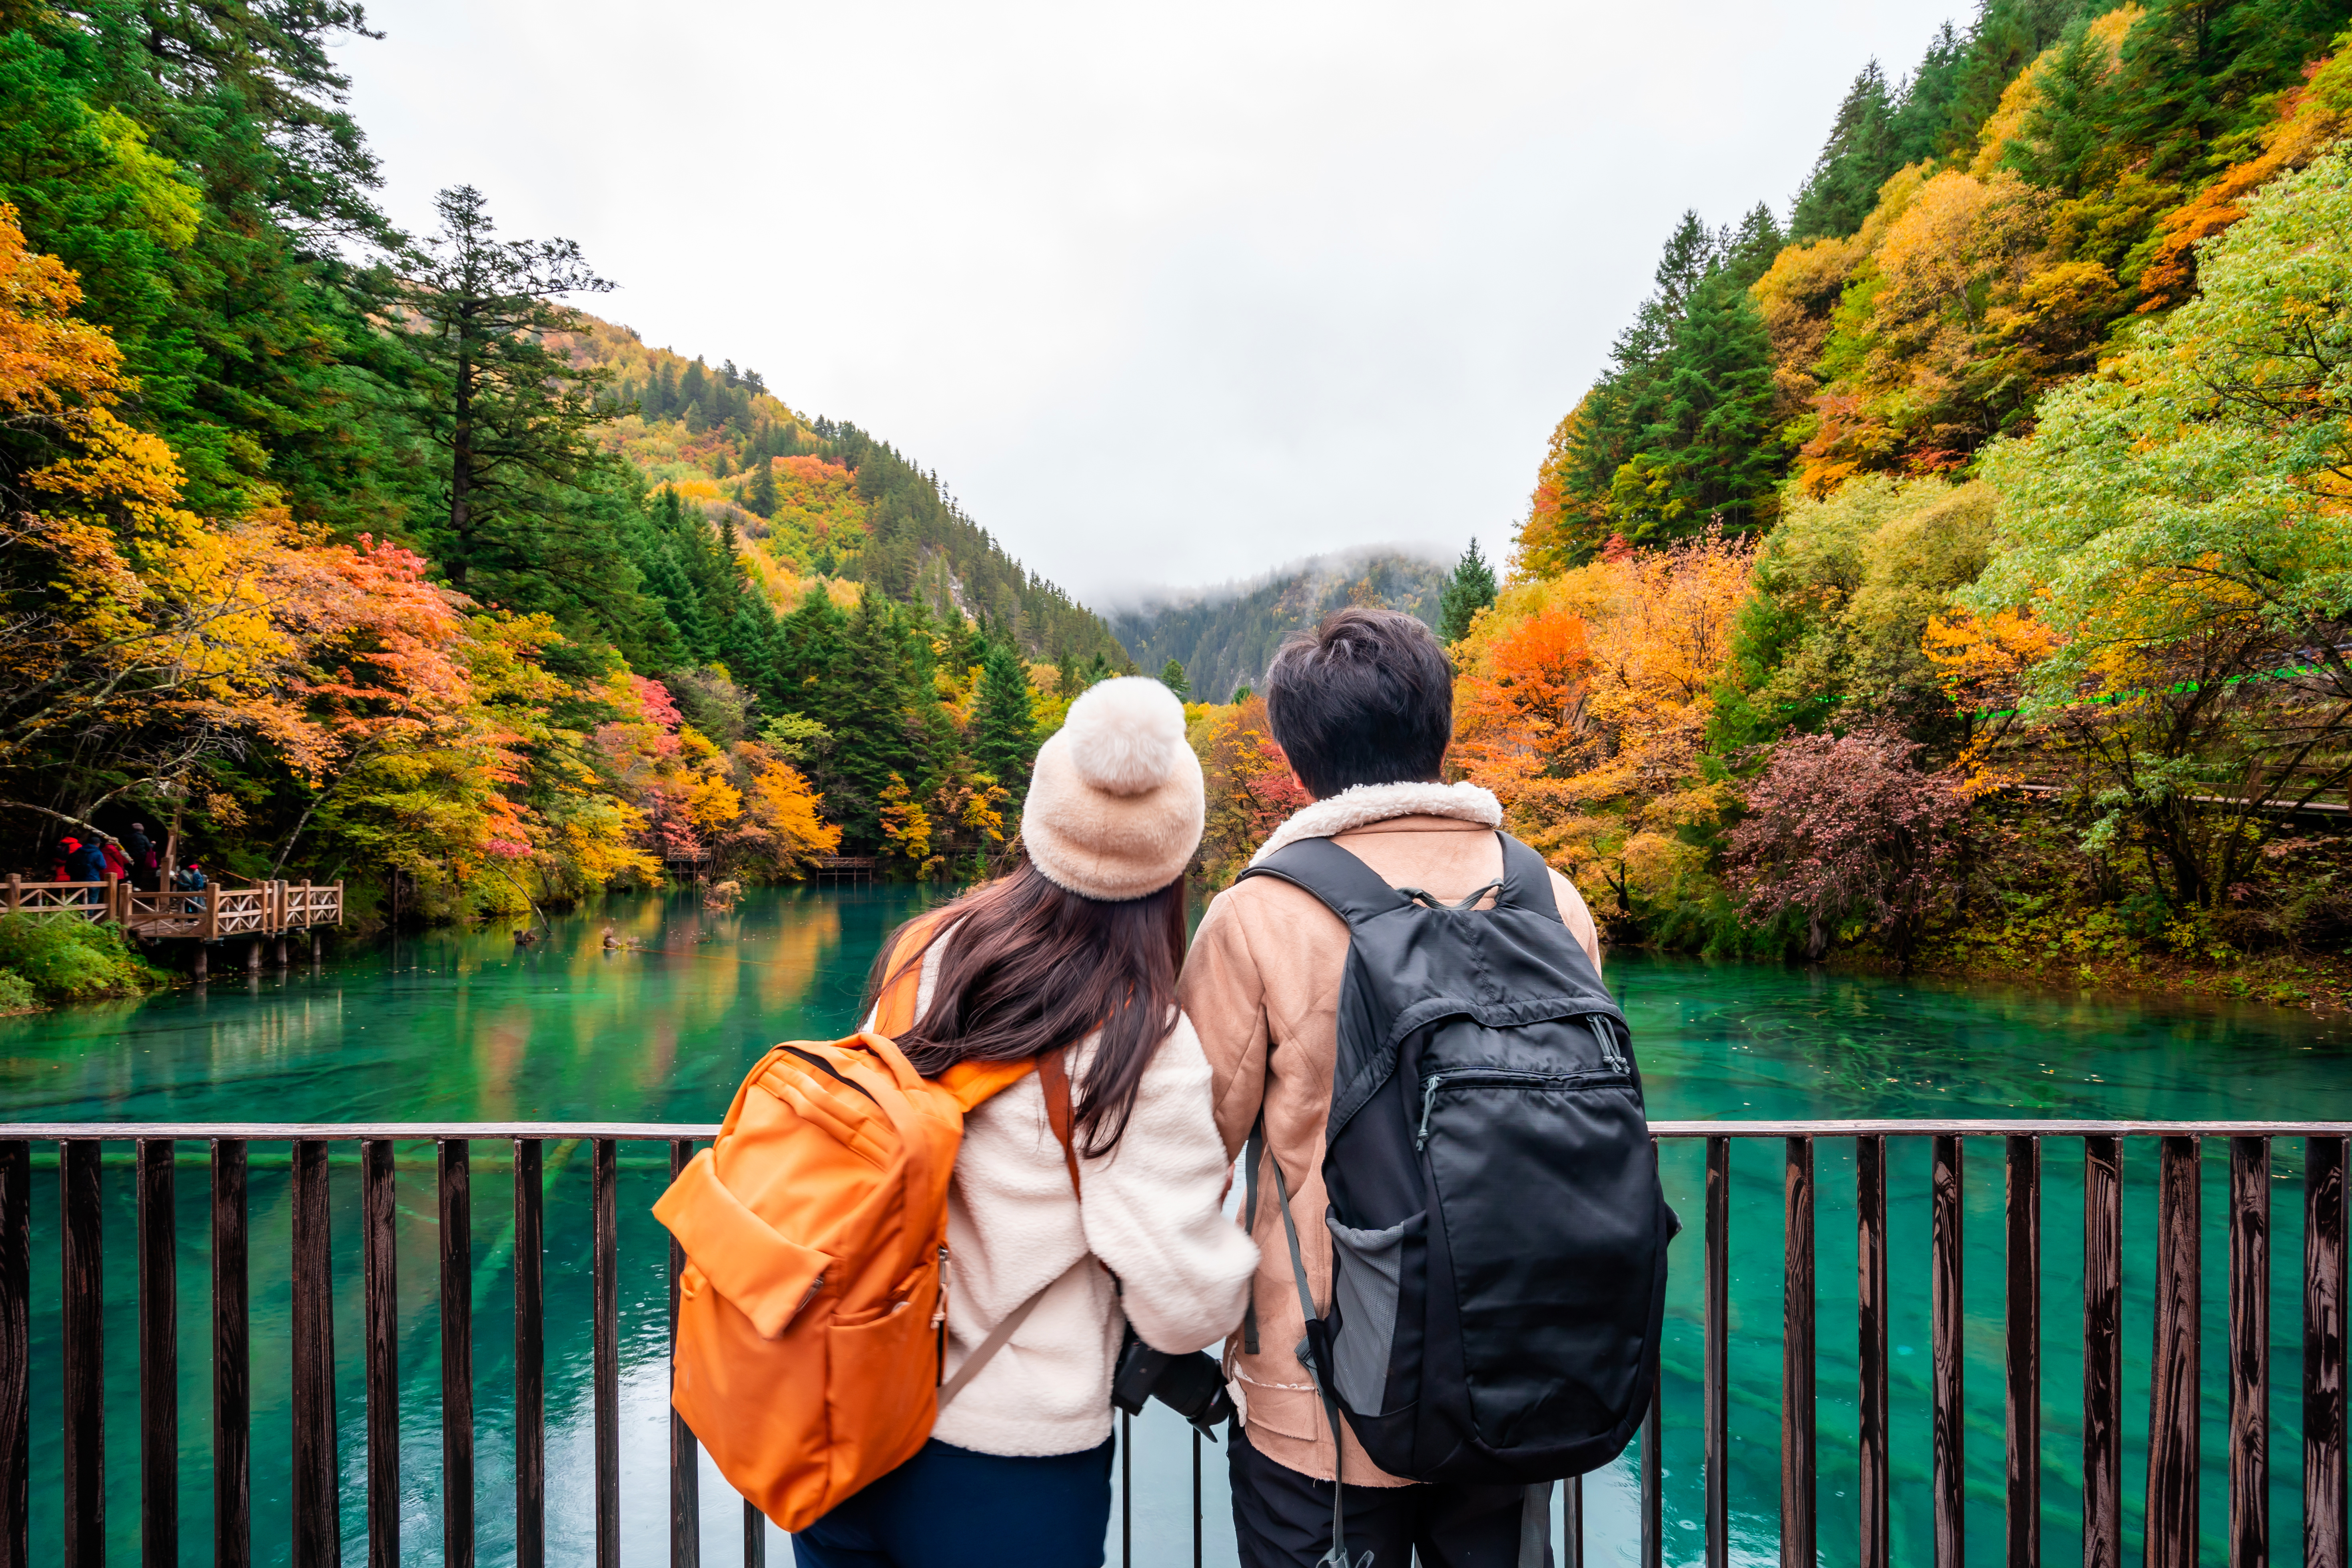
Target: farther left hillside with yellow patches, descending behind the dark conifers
(834, 504)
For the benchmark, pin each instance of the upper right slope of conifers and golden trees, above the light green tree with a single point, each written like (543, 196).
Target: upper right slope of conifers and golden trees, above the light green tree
(1975, 234)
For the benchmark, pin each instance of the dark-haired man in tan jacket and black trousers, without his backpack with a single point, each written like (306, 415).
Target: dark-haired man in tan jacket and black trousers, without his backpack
(1363, 706)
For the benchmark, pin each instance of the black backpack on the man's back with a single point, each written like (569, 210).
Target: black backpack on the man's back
(1497, 1224)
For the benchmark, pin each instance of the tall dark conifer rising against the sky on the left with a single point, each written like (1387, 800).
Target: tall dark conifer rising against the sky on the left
(514, 417)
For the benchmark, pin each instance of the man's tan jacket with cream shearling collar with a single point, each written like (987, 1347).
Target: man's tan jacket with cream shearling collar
(1262, 989)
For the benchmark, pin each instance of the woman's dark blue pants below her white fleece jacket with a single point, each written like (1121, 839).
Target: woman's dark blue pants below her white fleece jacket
(951, 1508)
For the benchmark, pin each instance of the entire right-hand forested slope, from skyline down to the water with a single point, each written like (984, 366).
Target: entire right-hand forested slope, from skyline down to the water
(1963, 570)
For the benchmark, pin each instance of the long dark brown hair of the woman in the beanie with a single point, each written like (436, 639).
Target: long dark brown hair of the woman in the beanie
(1034, 967)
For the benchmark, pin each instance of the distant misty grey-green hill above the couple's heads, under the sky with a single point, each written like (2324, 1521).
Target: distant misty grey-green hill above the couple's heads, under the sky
(1227, 636)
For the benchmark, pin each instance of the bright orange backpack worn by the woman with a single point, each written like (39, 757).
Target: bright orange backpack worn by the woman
(815, 1299)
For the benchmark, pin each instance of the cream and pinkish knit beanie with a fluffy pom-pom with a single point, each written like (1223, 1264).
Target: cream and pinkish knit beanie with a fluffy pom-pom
(1116, 803)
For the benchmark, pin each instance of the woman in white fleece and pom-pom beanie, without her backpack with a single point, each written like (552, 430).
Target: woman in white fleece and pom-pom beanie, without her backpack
(1078, 946)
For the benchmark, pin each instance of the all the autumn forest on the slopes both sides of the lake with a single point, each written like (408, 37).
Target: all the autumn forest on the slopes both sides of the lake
(1951, 577)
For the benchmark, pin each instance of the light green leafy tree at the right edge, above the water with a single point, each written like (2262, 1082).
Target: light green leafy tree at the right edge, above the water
(2177, 525)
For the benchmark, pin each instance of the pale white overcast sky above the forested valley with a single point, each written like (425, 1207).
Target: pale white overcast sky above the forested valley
(1165, 295)
